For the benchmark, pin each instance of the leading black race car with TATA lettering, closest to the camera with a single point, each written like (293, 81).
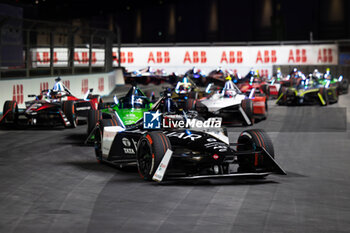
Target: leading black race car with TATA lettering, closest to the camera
(184, 153)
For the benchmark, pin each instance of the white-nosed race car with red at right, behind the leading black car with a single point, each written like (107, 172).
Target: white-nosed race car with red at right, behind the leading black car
(233, 105)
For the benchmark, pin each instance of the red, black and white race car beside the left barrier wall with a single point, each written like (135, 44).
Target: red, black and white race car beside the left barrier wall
(50, 108)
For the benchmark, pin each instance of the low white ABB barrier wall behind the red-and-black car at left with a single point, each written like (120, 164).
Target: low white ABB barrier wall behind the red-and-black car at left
(19, 89)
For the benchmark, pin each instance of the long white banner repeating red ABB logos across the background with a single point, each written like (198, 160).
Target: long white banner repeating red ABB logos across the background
(180, 59)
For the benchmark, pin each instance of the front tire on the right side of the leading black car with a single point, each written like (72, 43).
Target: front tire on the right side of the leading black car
(250, 140)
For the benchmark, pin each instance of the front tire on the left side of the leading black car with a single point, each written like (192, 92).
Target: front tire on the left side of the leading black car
(150, 151)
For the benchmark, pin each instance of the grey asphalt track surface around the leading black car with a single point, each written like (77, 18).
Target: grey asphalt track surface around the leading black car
(51, 182)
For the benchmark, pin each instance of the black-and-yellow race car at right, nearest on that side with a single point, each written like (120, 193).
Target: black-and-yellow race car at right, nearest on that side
(308, 92)
